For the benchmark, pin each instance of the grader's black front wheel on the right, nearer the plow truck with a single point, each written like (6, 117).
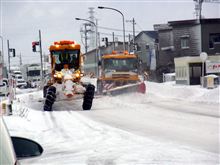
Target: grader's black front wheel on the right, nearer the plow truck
(88, 97)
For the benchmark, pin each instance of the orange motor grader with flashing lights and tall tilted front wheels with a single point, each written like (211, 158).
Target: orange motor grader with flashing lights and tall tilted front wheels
(65, 80)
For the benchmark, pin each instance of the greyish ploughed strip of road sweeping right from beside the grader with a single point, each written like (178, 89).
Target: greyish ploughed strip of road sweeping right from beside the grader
(169, 121)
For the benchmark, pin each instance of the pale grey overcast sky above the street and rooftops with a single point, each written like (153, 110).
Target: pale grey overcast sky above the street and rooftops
(22, 19)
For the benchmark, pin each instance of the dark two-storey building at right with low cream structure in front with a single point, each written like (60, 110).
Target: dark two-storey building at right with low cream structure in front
(186, 40)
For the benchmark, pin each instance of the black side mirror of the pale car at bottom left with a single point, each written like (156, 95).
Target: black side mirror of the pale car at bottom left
(26, 148)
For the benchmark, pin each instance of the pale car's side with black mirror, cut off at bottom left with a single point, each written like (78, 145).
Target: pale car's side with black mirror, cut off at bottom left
(14, 148)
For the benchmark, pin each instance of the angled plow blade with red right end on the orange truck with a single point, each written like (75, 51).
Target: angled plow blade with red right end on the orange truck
(131, 88)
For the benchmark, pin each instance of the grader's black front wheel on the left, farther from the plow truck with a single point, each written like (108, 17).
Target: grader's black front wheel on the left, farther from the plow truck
(50, 98)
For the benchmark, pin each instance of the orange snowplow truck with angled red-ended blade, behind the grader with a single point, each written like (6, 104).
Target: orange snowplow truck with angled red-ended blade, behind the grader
(120, 74)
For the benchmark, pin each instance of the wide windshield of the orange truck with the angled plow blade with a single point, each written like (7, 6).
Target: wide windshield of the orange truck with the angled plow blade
(129, 64)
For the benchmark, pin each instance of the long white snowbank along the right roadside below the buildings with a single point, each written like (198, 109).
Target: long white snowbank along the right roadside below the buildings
(193, 93)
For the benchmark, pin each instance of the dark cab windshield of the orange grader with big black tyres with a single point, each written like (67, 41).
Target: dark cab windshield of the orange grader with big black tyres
(62, 57)
